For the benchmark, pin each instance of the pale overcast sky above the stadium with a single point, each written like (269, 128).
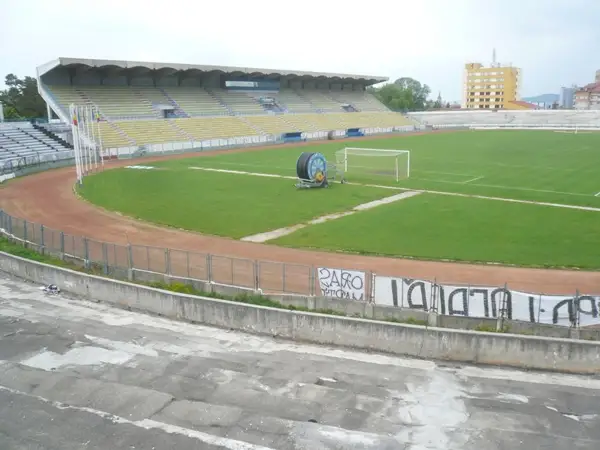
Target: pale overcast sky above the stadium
(555, 42)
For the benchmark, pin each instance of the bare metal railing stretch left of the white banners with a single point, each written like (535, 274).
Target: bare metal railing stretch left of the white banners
(153, 263)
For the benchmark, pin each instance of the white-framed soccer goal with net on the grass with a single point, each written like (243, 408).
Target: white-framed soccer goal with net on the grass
(372, 161)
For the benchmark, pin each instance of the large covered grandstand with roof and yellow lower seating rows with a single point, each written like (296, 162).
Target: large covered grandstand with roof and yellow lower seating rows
(142, 104)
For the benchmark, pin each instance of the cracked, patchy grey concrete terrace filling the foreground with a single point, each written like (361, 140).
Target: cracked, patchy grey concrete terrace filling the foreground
(76, 374)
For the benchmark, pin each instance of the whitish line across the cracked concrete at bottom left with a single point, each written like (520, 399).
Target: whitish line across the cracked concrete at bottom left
(147, 424)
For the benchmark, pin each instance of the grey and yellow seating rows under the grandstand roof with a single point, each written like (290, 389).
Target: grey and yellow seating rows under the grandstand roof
(132, 116)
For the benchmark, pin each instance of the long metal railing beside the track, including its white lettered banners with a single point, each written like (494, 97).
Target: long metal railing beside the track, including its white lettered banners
(459, 305)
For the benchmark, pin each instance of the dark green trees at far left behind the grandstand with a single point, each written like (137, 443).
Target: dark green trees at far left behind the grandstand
(21, 98)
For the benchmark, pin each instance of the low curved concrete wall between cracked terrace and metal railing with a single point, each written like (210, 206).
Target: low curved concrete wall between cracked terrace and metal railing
(525, 352)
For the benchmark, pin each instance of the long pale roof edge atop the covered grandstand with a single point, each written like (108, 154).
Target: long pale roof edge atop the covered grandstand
(139, 67)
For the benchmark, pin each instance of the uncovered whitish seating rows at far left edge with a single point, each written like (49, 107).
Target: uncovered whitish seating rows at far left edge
(24, 141)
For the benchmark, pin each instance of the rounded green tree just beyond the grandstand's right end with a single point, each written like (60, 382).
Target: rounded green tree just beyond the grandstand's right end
(404, 94)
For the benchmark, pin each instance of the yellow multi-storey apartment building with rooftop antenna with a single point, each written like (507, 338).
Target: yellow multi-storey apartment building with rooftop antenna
(494, 87)
